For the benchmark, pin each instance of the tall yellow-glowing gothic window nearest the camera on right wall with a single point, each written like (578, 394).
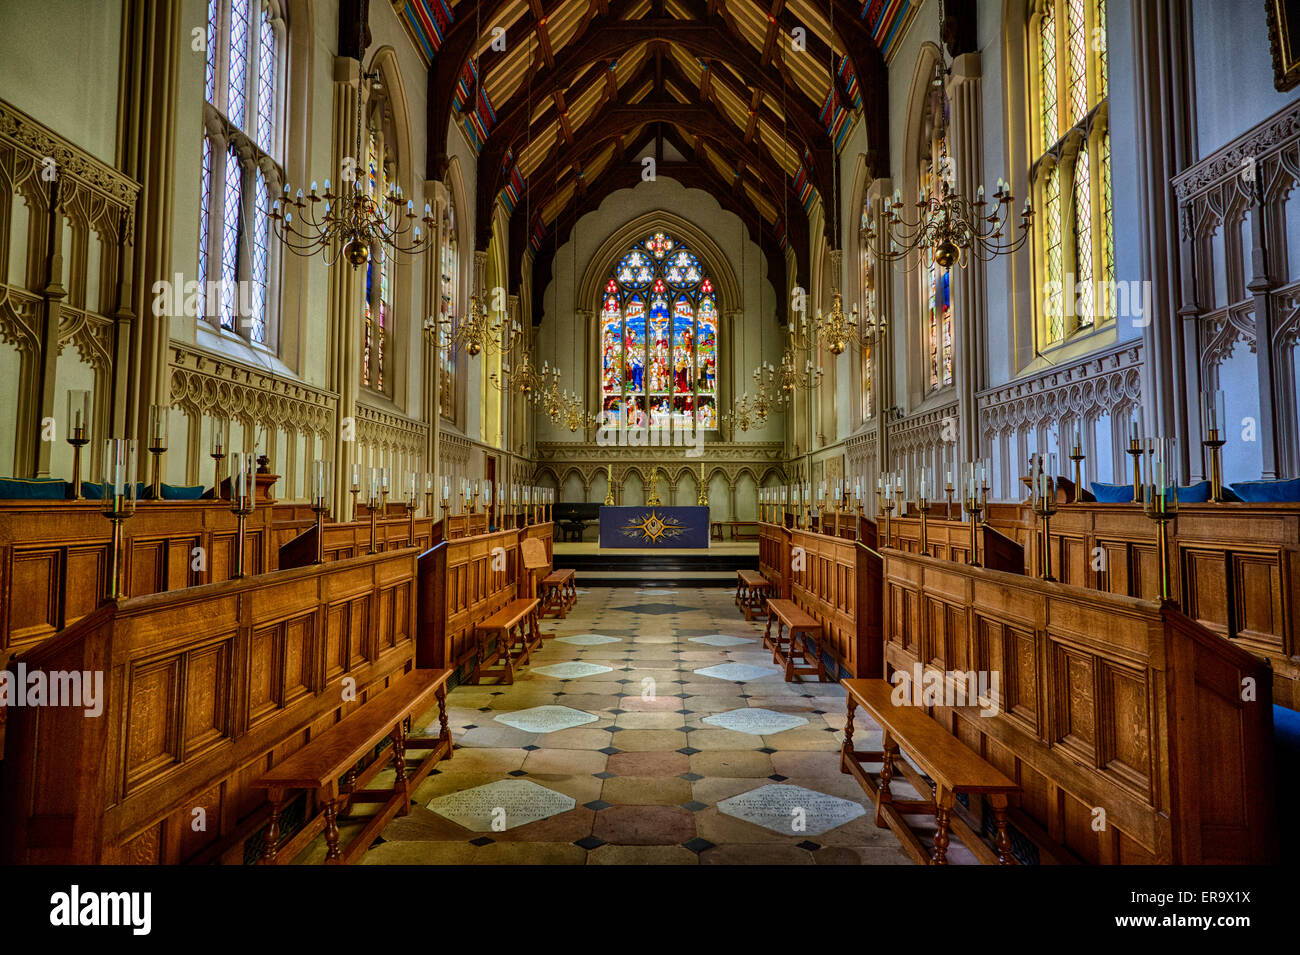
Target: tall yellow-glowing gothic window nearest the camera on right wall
(1071, 171)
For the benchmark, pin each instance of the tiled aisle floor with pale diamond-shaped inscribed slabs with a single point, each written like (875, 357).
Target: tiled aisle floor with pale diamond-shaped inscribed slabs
(647, 759)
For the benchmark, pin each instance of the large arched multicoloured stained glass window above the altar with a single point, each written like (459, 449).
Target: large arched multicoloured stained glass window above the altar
(660, 340)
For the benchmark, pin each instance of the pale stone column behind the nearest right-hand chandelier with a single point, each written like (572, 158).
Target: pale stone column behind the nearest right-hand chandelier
(969, 346)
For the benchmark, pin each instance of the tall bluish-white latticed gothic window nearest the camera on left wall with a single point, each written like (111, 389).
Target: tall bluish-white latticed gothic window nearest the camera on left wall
(239, 171)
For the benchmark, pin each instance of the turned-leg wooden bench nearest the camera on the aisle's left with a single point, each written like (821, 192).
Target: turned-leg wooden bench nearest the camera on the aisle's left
(328, 769)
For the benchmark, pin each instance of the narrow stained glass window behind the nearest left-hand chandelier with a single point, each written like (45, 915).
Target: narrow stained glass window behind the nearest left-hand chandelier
(378, 310)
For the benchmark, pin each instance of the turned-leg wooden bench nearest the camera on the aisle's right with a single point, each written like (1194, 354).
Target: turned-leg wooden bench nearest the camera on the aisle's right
(951, 765)
